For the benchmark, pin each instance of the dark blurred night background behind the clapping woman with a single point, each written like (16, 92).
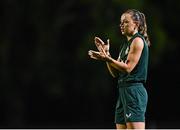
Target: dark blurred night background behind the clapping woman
(47, 78)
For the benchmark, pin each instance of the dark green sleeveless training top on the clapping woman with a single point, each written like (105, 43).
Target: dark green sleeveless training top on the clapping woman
(139, 73)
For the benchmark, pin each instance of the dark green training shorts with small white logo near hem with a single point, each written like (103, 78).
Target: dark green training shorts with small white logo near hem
(131, 103)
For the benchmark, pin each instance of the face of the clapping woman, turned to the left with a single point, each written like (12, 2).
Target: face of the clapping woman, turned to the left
(127, 26)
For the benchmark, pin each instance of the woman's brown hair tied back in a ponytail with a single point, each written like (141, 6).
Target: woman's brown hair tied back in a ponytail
(140, 18)
